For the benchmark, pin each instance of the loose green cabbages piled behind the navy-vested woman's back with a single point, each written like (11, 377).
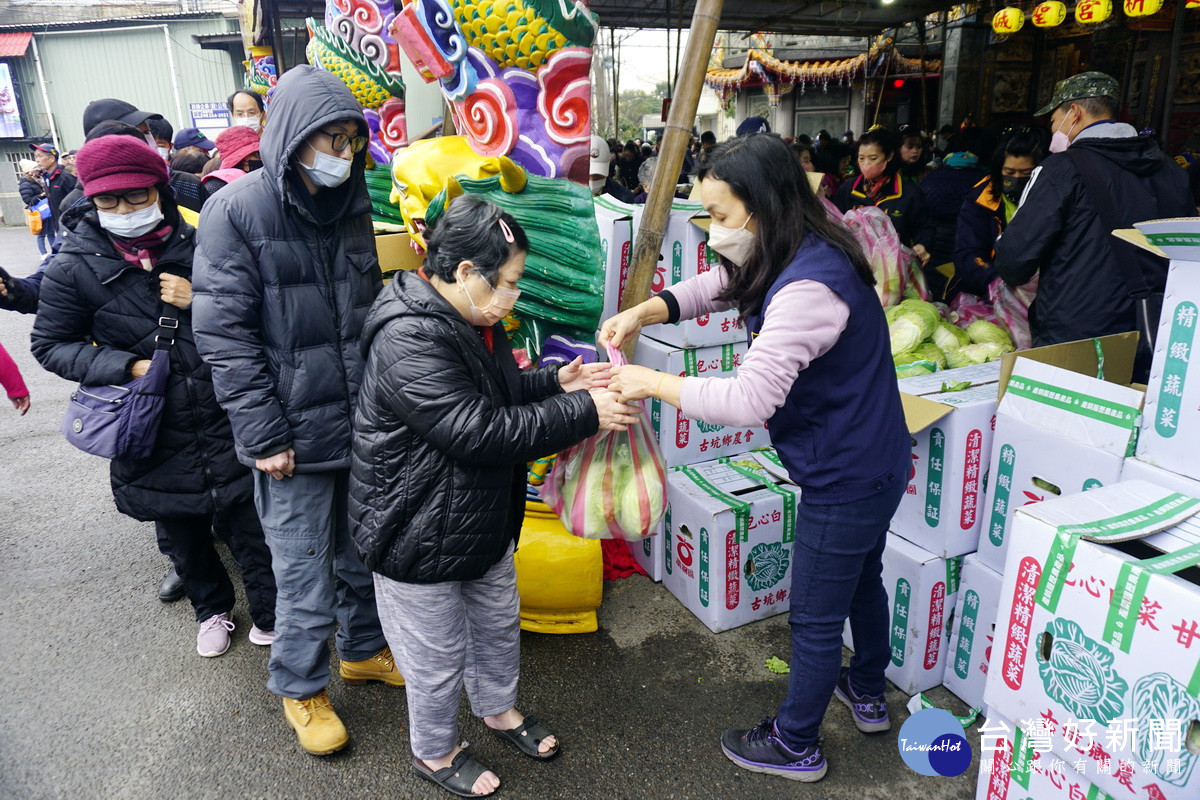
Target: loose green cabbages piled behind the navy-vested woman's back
(925, 342)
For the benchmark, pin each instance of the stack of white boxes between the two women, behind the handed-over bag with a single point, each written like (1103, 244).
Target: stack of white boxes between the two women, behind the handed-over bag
(724, 548)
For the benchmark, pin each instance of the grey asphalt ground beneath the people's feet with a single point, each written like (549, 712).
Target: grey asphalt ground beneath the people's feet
(106, 697)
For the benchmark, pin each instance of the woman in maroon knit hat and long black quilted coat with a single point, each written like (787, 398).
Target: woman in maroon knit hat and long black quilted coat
(127, 264)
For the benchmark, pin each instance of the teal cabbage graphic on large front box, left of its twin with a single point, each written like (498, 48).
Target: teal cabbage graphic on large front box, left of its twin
(1079, 673)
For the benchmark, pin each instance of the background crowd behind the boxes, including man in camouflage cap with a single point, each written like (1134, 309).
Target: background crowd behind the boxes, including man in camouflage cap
(953, 197)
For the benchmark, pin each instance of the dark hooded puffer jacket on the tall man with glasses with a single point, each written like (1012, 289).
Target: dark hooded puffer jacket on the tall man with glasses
(284, 284)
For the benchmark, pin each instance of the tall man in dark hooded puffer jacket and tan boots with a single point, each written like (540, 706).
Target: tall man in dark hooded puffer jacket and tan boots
(286, 272)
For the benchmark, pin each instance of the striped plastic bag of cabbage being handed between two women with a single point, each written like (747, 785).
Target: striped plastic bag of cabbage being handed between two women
(611, 486)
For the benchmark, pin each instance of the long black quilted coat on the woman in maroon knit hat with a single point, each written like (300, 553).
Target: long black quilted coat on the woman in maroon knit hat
(98, 316)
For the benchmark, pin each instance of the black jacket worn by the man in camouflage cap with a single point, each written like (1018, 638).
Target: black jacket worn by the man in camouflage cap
(1058, 230)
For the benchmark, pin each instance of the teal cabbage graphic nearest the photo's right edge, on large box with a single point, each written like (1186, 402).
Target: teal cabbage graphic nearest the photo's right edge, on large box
(1160, 697)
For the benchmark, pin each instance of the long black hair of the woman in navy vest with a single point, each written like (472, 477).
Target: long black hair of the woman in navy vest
(761, 171)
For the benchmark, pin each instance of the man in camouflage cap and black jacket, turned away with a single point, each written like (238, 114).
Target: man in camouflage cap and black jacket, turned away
(1106, 177)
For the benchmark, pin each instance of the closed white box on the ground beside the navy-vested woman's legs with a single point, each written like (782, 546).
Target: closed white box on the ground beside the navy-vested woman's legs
(728, 543)
